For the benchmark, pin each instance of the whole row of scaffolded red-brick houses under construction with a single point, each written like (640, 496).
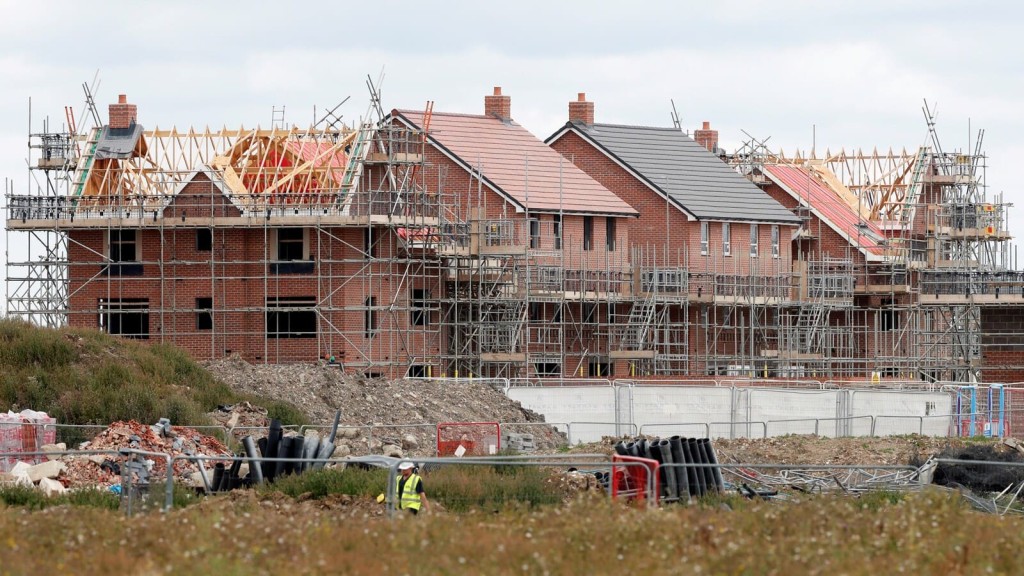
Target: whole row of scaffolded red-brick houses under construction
(457, 244)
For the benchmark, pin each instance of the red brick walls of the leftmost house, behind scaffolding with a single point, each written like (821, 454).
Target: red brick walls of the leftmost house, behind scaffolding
(236, 275)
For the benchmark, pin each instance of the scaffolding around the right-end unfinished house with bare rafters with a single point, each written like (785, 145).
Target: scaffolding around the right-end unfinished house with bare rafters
(917, 311)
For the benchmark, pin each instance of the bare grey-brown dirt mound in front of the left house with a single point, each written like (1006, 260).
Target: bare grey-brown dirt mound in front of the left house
(320, 390)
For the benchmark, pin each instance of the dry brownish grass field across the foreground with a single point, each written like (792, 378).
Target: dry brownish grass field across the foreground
(927, 533)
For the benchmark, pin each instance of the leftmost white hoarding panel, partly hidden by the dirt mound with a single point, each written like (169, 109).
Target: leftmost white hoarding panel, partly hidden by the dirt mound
(590, 412)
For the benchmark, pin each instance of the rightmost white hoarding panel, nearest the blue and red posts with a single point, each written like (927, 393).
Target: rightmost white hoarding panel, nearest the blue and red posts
(901, 413)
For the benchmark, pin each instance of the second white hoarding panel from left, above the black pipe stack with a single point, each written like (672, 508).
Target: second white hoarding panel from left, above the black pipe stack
(655, 407)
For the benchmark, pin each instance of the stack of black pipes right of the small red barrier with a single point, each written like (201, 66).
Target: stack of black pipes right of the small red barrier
(690, 467)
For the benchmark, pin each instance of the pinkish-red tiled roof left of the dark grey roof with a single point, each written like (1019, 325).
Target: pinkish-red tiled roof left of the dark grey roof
(518, 164)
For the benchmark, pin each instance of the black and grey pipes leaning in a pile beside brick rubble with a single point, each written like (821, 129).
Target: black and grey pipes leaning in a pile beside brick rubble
(304, 454)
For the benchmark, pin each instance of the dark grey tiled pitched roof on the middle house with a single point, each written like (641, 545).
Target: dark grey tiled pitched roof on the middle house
(676, 167)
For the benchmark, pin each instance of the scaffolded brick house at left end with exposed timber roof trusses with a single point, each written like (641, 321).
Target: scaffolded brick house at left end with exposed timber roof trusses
(278, 245)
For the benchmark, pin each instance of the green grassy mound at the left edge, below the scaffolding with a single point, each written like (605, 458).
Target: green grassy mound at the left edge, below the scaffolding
(88, 378)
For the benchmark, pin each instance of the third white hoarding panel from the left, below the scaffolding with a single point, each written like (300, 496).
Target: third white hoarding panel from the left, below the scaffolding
(793, 410)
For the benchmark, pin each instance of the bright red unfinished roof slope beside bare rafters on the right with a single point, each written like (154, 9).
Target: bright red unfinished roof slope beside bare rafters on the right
(799, 183)
